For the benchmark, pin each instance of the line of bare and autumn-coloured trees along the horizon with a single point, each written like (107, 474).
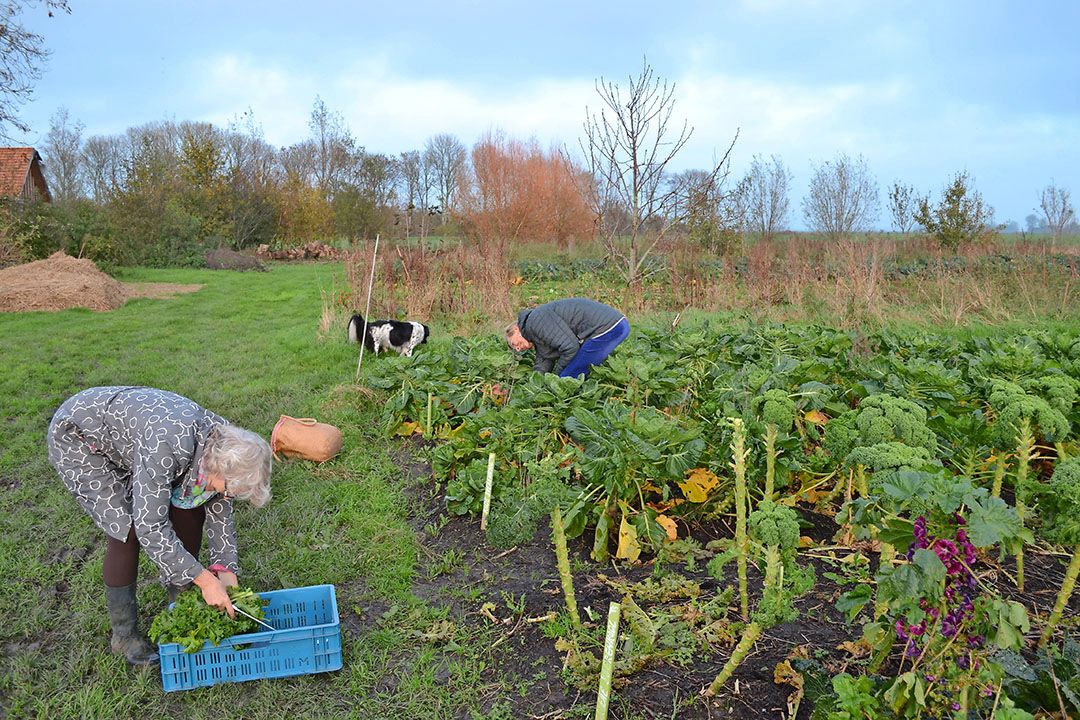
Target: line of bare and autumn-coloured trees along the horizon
(165, 193)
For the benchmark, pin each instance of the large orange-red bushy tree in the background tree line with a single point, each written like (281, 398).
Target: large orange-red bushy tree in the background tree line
(519, 192)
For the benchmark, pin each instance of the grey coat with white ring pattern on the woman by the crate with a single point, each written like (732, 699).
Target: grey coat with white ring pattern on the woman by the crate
(121, 451)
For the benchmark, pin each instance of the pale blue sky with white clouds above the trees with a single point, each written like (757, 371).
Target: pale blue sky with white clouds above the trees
(922, 89)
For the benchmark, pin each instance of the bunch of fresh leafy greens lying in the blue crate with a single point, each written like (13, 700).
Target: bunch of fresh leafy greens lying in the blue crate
(191, 622)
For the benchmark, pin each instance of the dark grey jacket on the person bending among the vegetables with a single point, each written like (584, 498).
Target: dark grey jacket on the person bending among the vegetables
(558, 329)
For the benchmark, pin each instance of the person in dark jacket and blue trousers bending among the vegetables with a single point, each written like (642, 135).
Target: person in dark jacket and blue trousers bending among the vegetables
(571, 336)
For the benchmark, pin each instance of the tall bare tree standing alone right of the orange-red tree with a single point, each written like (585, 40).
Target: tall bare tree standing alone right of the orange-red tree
(628, 146)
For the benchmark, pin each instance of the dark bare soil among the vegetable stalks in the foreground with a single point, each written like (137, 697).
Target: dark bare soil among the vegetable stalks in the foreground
(528, 659)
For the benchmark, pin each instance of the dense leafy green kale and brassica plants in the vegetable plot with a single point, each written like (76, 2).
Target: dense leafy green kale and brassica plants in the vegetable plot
(912, 441)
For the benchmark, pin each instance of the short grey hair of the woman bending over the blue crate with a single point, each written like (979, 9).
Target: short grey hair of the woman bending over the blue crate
(244, 459)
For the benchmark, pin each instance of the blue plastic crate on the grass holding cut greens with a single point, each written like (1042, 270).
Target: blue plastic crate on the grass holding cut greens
(307, 641)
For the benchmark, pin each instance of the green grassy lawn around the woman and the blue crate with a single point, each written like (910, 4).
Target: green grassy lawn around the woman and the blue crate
(247, 347)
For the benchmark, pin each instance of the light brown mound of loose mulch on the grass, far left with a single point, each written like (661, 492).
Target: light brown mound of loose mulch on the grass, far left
(58, 283)
